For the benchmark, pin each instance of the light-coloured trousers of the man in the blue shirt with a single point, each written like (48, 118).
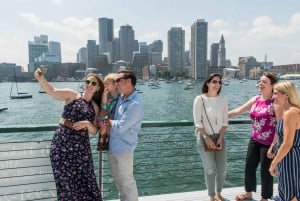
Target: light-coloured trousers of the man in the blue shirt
(121, 169)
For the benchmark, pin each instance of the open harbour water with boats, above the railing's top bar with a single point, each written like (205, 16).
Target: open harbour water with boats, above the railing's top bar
(170, 102)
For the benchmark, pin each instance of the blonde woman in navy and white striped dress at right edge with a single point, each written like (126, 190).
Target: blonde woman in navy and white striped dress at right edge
(287, 159)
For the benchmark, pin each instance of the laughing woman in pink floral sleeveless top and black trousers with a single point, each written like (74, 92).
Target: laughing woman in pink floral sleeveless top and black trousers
(263, 119)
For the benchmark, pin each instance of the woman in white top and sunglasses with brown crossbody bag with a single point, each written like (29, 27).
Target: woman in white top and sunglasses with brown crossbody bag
(210, 111)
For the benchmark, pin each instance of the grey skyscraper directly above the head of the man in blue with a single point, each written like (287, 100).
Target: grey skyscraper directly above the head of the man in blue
(126, 38)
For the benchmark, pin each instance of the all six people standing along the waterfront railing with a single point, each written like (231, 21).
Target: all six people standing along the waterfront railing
(274, 141)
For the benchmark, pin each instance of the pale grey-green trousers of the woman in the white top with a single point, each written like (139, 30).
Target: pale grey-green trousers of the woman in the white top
(215, 167)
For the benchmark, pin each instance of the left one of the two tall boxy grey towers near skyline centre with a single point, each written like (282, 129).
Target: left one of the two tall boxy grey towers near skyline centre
(176, 48)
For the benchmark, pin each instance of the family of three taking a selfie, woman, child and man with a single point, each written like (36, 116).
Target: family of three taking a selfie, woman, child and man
(70, 152)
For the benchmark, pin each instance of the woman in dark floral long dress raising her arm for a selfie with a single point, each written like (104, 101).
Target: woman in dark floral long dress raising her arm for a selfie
(70, 153)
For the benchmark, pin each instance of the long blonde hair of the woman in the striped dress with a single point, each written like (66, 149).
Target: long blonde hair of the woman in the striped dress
(289, 88)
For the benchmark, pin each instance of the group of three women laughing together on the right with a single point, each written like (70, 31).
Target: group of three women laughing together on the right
(274, 141)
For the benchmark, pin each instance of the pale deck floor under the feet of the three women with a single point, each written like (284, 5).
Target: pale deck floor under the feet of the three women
(228, 193)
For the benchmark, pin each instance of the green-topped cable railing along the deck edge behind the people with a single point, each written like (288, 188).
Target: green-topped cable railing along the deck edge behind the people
(166, 160)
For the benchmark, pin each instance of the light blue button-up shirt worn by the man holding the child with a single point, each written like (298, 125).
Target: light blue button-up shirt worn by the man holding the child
(126, 124)
